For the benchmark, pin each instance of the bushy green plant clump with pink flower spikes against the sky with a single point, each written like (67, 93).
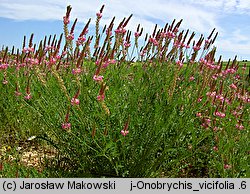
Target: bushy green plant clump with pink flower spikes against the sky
(114, 108)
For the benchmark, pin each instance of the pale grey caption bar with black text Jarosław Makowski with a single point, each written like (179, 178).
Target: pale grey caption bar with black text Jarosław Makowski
(128, 185)
